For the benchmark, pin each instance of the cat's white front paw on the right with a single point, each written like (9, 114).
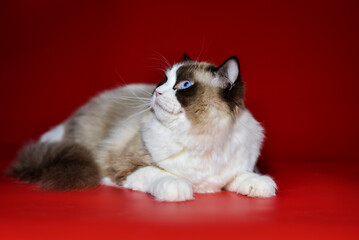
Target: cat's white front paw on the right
(252, 185)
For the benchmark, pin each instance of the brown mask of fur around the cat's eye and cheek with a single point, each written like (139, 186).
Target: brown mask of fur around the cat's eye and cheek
(204, 99)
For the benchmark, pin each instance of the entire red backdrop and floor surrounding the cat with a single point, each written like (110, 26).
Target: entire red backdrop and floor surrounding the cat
(299, 60)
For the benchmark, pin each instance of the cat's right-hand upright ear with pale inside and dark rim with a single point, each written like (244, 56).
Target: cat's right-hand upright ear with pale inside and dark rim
(229, 71)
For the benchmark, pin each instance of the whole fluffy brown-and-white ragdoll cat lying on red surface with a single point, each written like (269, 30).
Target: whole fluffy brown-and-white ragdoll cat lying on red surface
(190, 134)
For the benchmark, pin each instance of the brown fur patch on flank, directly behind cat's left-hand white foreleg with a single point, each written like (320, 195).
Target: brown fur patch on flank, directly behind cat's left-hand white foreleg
(132, 158)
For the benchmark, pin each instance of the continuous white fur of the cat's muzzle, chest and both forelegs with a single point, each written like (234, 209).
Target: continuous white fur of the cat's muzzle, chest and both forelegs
(226, 160)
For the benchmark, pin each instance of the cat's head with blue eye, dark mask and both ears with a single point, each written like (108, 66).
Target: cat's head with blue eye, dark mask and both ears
(200, 93)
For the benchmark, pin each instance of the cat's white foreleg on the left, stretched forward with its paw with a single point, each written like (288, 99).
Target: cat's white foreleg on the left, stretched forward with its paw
(162, 185)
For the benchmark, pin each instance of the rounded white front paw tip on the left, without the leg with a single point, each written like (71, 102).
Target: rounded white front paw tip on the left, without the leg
(171, 189)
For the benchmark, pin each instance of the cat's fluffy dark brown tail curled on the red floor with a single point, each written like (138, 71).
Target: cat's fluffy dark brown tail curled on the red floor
(57, 166)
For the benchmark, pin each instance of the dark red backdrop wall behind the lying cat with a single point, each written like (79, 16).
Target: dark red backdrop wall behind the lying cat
(299, 60)
